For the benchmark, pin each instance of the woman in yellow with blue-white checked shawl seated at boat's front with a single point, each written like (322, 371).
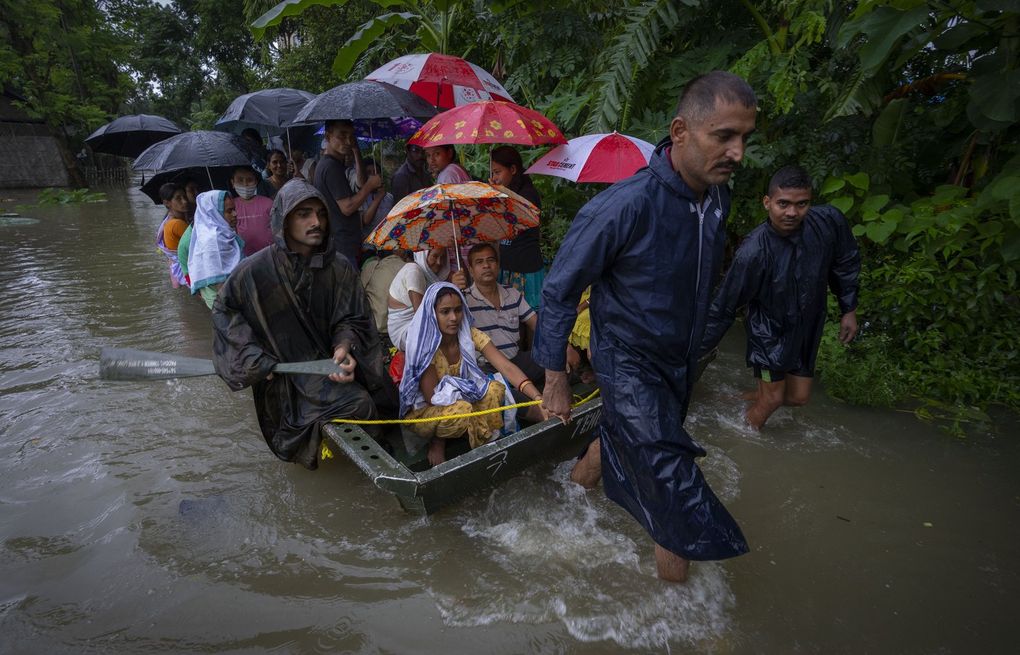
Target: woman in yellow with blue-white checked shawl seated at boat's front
(442, 376)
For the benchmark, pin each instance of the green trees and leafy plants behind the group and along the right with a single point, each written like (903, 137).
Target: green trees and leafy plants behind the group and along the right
(906, 113)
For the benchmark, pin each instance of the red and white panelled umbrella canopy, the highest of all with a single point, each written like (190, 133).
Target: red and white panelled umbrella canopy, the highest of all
(444, 81)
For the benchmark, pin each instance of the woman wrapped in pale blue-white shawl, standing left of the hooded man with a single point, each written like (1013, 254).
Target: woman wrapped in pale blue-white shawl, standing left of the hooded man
(216, 248)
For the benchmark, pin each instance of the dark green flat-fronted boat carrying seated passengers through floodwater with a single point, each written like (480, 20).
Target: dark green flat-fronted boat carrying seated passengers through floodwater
(427, 491)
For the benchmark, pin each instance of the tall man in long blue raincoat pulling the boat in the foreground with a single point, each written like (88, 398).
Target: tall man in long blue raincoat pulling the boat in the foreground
(650, 247)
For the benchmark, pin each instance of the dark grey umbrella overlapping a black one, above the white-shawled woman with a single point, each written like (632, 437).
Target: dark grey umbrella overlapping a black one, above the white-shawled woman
(201, 148)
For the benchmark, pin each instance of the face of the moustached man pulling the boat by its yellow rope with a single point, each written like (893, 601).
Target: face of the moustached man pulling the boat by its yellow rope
(710, 150)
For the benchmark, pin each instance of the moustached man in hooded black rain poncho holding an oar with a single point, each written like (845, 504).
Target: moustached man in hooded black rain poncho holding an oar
(298, 300)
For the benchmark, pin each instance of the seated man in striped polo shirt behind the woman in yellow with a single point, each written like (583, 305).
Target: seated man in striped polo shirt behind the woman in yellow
(499, 312)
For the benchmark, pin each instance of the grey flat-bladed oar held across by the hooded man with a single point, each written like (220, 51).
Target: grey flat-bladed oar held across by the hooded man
(124, 364)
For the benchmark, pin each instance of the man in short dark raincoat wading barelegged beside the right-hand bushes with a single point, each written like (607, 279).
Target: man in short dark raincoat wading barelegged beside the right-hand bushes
(781, 274)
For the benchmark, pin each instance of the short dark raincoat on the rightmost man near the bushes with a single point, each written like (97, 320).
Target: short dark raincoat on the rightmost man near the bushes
(783, 282)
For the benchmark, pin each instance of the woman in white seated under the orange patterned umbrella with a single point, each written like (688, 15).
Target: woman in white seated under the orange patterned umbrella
(410, 286)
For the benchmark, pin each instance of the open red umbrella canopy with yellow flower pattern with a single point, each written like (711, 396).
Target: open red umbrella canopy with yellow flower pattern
(488, 122)
